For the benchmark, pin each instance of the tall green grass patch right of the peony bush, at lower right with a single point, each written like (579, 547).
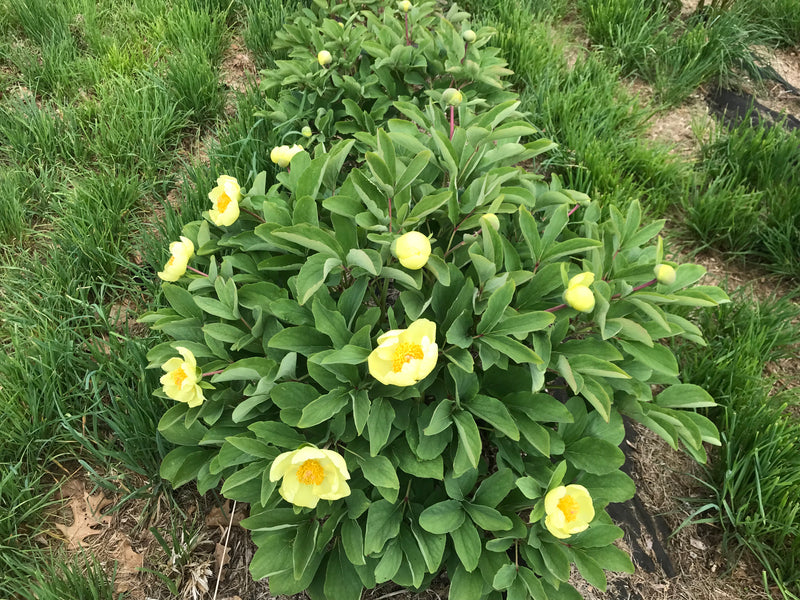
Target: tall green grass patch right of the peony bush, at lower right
(751, 485)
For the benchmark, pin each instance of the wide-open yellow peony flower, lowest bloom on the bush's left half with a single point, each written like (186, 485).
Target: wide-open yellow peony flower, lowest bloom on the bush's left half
(310, 474)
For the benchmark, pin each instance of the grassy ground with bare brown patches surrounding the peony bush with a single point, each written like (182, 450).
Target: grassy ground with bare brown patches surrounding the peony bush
(116, 118)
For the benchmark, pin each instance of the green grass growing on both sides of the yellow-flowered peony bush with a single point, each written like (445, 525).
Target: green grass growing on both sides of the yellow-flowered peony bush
(101, 98)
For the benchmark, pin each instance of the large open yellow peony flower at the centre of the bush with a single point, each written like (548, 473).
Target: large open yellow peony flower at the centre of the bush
(405, 356)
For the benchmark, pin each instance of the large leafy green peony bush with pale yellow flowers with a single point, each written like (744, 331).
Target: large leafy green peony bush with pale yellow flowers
(411, 355)
